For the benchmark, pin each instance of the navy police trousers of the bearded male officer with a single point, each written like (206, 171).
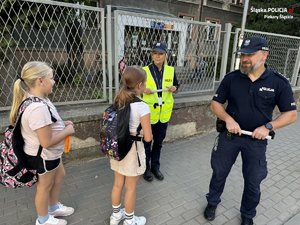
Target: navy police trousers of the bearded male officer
(254, 168)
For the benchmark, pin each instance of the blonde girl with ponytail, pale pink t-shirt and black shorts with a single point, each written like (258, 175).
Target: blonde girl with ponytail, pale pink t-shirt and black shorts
(36, 81)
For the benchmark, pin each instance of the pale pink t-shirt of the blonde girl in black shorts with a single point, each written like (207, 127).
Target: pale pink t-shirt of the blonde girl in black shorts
(36, 116)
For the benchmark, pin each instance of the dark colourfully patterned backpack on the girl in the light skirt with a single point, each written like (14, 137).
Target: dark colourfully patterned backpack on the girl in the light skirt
(115, 138)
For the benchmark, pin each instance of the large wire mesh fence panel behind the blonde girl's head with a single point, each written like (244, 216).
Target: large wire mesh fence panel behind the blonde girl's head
(70, 37)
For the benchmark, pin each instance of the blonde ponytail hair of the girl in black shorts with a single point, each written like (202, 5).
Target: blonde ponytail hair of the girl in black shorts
(31, 71)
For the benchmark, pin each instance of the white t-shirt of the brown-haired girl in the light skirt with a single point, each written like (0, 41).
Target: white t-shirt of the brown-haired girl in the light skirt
(137, 110)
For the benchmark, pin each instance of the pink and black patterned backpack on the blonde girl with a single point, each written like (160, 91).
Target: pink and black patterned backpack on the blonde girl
(15, 170)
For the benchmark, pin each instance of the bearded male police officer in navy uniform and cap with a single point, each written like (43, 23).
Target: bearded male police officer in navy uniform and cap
(251, 94)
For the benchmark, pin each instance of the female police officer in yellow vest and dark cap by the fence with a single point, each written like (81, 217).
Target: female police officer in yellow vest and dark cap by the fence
(159, 77)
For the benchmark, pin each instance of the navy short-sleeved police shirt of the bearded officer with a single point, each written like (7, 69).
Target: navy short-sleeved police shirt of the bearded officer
(251, 103)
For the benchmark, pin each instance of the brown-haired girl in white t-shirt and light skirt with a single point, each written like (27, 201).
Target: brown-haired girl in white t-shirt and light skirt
(128, 170)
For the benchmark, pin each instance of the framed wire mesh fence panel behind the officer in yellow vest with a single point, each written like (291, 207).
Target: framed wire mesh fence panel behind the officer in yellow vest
(192, 46)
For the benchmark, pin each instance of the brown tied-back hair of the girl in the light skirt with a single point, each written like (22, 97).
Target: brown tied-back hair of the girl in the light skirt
(131, 77)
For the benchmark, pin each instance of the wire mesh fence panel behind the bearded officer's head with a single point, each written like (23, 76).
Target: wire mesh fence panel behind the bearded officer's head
(284, 51)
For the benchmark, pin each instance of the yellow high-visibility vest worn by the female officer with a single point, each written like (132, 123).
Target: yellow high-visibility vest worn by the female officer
(160, 113)
